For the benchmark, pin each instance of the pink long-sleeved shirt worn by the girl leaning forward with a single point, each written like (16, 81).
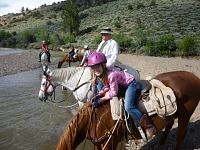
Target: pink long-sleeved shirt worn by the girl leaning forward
(116, 77)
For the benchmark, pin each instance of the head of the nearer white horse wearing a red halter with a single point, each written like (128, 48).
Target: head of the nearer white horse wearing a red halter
(47, 88)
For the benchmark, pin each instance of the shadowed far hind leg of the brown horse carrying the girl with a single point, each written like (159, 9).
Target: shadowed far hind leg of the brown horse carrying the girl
(165, 135)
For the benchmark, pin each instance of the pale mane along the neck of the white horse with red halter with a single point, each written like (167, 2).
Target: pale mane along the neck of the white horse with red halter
(65, 73)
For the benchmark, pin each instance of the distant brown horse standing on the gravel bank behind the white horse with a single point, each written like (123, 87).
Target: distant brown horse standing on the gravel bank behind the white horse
(67, 59)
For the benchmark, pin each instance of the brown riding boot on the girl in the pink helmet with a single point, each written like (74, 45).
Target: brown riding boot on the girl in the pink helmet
(149, 128)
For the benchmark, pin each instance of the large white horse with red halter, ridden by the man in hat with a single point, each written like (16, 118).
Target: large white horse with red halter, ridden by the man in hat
(76, 79)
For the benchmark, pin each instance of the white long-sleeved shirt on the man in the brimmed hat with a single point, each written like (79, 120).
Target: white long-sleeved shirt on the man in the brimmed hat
(110, 50)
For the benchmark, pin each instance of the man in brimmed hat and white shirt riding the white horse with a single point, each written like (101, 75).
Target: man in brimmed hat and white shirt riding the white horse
(108, 46)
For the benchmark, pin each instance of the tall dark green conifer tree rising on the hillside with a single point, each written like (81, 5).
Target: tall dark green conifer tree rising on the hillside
(70, 18)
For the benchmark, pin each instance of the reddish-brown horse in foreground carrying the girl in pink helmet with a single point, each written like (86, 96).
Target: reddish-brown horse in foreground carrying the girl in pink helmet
(97, 124)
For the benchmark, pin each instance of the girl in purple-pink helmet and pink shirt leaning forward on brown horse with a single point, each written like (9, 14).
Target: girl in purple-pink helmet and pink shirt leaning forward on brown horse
(111, 77)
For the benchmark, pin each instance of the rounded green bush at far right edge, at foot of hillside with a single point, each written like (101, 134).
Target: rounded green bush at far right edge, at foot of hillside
(188, 45)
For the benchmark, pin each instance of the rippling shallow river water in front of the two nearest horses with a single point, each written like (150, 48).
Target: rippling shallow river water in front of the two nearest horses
(26, 123)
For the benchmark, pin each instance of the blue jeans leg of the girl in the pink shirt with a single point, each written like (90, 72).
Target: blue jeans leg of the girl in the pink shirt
(130, 107)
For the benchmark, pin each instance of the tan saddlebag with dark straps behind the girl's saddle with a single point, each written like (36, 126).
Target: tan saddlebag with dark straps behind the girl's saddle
(163, 98)
